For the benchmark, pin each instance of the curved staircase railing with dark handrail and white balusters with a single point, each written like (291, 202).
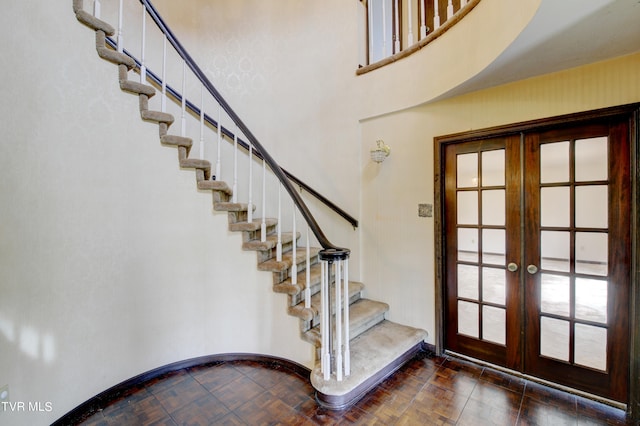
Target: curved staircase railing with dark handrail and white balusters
(335, 352)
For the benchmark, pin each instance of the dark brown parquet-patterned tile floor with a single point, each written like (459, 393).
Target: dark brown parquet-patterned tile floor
(427, 391)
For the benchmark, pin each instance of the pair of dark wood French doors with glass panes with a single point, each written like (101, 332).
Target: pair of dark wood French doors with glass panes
(537, 253)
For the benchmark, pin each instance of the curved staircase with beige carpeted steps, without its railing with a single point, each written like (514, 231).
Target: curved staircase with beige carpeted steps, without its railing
(378, 346)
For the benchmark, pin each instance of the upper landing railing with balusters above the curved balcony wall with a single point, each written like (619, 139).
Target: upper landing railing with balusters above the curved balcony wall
(397, 28)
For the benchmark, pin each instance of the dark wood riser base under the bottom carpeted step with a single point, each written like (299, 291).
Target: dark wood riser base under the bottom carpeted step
(342, 402)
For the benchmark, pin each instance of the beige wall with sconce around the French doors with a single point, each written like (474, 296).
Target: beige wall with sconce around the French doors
(398, 246)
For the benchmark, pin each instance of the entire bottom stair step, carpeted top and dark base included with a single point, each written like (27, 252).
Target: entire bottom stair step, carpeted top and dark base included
(375, 355)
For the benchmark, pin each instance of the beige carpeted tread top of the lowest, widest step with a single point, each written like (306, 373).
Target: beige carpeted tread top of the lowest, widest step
(371, 353)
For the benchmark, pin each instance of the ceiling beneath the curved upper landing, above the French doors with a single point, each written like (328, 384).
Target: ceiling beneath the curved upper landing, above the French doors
(563, 34)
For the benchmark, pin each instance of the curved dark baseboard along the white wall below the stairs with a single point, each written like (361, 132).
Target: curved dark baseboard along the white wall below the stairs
(92, 405)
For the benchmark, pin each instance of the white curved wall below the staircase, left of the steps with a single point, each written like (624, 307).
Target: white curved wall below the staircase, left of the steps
(111, 262)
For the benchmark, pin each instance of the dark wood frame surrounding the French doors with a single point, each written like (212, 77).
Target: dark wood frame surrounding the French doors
(632, 113)
